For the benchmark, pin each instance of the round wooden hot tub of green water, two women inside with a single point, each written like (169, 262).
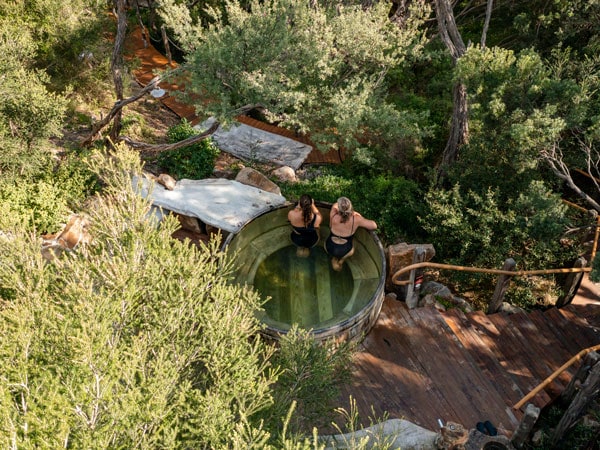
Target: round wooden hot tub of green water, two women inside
(307, 291)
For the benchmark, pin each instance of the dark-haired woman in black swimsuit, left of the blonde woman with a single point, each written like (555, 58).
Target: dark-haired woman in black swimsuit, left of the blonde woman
(305, 219)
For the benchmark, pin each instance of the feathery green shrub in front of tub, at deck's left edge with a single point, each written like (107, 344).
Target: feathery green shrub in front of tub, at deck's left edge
(310, 376)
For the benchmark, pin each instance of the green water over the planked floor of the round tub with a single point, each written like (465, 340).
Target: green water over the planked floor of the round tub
(304, 291)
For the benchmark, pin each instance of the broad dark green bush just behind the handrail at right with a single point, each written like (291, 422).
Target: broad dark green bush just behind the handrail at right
(467, 228)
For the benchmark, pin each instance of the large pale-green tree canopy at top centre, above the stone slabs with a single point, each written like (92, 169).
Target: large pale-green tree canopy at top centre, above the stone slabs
(306, 67)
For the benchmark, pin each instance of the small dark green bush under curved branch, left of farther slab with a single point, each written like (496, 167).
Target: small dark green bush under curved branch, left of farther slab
(195, 161)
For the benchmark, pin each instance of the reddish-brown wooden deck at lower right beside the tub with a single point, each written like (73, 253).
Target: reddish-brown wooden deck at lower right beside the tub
(422, 365)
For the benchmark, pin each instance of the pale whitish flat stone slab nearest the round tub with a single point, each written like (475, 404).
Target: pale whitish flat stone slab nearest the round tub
(225, 204)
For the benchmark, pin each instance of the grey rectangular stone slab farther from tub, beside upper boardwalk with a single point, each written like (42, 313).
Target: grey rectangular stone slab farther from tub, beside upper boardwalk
(252, 144)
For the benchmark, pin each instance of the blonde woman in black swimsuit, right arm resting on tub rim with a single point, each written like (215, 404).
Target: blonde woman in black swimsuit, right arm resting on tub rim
(343, 223)
